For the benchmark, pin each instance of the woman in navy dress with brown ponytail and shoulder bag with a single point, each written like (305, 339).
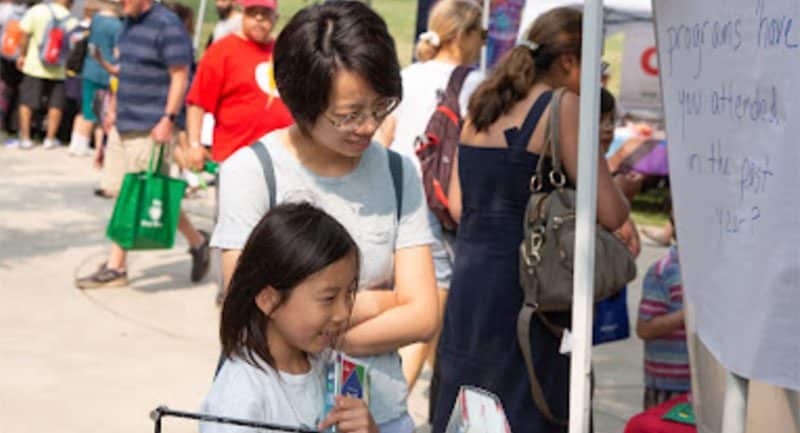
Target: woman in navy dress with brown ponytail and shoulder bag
(501, 141)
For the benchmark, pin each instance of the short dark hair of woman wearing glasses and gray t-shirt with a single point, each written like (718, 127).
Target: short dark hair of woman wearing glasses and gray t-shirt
(323, 38)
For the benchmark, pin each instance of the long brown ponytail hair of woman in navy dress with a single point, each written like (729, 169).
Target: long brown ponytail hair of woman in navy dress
(556, 32)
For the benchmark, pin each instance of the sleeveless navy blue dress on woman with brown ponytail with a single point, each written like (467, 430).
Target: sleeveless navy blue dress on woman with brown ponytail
(479, 344)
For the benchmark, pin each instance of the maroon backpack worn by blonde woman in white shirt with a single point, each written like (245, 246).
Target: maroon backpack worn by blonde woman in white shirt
(436, 148)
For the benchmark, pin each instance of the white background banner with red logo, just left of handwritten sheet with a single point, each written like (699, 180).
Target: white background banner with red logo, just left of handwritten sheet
(640, 88)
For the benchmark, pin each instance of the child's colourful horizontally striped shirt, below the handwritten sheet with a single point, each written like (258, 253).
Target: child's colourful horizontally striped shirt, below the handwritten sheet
(666, 359)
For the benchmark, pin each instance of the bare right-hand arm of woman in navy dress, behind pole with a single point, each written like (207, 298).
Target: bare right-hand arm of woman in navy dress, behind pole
(612, 207)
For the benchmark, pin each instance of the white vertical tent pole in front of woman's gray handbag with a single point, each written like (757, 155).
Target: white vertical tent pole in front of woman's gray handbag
(586, 209)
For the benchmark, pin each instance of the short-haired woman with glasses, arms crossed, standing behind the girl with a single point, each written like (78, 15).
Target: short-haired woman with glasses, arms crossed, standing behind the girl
(336, 70)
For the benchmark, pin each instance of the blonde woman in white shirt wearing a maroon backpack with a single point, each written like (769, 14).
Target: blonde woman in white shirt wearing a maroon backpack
(454, 38)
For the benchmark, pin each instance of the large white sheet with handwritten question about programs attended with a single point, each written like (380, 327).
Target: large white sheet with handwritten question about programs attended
(733, 126)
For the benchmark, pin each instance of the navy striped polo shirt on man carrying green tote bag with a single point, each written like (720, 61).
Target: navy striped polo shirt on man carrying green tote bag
(148, 45)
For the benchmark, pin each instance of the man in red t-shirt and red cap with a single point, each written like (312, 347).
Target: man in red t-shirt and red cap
(234, 82)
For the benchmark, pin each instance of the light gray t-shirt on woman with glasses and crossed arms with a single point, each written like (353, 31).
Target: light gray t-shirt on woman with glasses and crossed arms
(363, 201)
